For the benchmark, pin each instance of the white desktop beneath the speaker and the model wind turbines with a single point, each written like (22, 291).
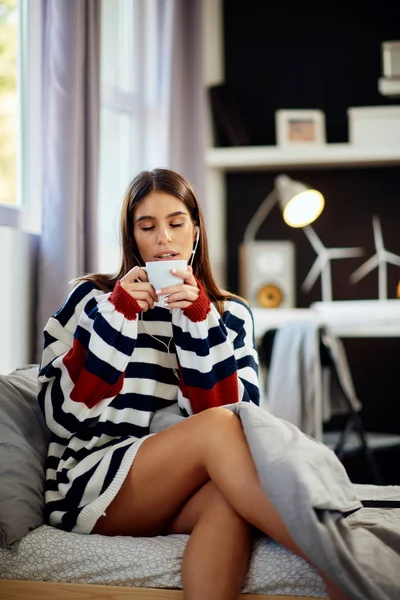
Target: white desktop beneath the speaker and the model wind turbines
(347, 318)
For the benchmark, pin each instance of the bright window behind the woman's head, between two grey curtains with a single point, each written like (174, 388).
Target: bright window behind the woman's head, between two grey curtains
(136, 42)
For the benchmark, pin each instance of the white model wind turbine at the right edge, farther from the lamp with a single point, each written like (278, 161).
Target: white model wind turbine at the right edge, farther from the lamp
(380, 259)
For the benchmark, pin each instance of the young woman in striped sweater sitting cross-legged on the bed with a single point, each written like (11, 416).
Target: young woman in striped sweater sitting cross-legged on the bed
(119, 351)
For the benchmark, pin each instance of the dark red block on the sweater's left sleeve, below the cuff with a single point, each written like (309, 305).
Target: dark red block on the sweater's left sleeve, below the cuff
(88, 388)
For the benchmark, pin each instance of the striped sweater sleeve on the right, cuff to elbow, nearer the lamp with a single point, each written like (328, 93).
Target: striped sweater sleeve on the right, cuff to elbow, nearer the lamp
(217, 357)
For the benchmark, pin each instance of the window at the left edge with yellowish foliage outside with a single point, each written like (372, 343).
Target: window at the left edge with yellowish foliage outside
(20, 122)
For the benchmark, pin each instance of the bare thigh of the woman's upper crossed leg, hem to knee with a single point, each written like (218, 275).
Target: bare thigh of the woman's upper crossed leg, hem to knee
(168, 469)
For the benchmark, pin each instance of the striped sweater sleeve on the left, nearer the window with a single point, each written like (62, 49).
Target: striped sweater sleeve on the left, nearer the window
(87, 346)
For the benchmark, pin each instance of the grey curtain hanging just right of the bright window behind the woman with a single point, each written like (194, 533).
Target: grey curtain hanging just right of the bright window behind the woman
(187, 124)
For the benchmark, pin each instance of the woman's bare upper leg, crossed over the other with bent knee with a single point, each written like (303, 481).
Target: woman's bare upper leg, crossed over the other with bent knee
(172, 465)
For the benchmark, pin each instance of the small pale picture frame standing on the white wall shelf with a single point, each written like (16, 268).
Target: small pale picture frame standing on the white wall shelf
(300, 127)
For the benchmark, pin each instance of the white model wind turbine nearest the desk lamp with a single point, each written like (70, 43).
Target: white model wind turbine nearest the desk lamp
(322, 263)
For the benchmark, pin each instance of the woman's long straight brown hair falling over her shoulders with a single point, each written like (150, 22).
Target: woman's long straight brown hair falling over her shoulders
(169, 182)
